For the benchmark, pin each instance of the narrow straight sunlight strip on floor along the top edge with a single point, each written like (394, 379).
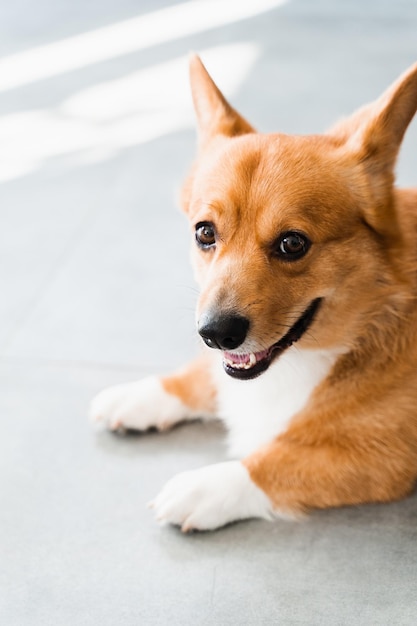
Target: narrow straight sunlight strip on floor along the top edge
(125, 37)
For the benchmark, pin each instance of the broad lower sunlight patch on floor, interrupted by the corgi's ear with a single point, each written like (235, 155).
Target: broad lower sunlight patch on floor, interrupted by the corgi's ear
(95, 123)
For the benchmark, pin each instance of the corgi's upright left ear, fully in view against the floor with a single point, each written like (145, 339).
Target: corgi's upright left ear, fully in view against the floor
(214, 114)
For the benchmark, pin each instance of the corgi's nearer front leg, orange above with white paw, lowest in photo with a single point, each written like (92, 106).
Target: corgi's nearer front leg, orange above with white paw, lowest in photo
(285, 479)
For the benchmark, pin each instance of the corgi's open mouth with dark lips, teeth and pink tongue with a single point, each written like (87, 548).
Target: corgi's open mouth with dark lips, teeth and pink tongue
(247, 366)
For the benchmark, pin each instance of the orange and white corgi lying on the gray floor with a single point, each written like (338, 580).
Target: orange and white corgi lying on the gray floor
(306, 256)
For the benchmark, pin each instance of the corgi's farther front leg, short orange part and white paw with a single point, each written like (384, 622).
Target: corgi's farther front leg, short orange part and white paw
(158, 402)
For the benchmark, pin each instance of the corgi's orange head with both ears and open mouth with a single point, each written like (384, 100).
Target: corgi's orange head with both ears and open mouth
(295, 238)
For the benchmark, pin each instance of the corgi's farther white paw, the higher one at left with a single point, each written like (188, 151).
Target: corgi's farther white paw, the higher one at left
(139, 405)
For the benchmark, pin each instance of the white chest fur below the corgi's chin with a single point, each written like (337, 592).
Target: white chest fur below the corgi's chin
(256, 411)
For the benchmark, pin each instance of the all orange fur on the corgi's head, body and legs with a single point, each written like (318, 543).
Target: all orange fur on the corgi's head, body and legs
(356, 439)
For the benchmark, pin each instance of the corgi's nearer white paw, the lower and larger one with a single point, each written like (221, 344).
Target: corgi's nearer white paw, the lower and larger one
(211, 497)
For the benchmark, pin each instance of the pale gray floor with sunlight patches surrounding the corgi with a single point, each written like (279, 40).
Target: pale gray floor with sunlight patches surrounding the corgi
(96, 289)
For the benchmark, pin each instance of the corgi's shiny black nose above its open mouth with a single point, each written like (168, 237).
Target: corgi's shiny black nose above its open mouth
(225, 332)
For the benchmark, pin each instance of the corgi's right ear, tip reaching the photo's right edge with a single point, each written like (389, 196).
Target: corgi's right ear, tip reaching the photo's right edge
(373, 134)
